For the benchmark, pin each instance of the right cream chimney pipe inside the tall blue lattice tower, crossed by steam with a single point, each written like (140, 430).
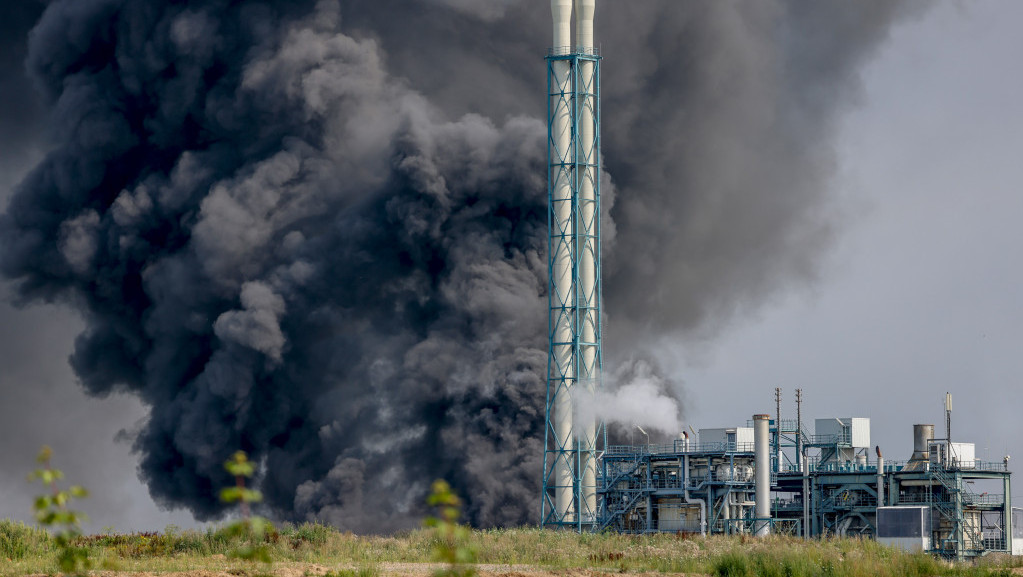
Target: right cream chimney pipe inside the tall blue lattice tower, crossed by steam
(588, 294)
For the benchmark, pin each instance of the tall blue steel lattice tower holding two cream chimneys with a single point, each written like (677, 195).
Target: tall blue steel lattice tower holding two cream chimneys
(573, 439)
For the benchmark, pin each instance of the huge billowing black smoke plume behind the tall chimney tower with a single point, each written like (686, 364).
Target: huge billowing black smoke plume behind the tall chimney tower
(317, 232)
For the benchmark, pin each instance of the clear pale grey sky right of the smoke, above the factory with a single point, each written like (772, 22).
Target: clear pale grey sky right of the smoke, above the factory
(924, 293)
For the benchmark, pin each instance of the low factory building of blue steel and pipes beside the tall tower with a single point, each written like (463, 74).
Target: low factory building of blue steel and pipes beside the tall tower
(815, 483)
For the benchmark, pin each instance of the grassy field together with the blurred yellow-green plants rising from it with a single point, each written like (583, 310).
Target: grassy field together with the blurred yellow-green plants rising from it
(444, 548)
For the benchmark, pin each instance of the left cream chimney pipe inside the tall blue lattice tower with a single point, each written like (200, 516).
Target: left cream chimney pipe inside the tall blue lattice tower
(563, 291)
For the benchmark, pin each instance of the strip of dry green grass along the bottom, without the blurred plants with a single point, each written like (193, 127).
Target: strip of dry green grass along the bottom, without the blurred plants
(25, 550)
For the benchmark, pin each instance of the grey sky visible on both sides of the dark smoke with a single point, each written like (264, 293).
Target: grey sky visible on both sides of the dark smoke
(918, 296)
